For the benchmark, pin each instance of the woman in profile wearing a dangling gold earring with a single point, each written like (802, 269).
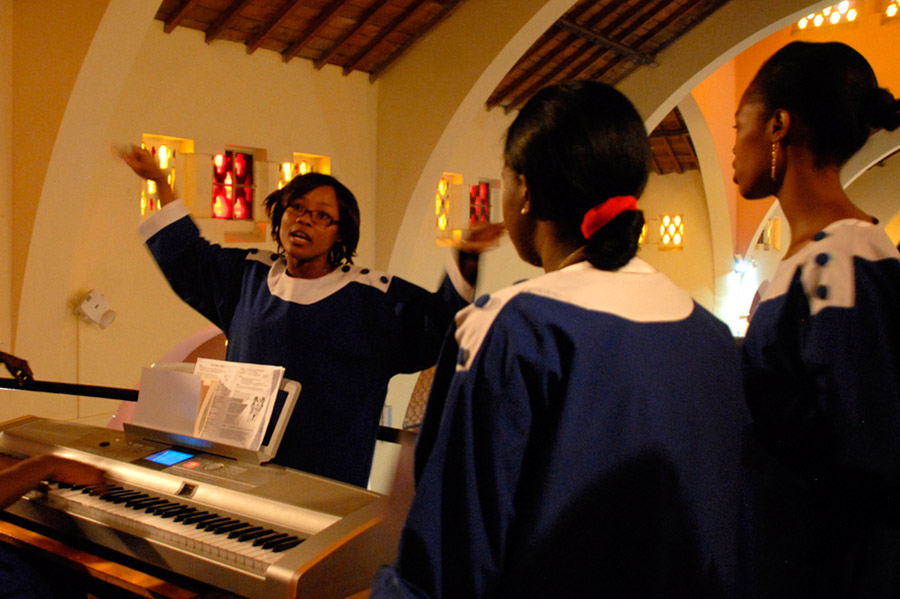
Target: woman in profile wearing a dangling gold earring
(822, 353)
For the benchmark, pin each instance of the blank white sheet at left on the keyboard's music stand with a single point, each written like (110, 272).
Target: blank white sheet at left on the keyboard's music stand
(168, 400)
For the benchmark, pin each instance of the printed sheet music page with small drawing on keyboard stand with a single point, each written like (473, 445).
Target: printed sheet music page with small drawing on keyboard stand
(242, 406)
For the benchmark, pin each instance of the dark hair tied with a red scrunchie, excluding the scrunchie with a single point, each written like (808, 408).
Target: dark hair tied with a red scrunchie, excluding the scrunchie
(578, 144)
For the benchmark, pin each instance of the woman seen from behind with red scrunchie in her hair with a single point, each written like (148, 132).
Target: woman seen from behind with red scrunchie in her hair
(582, 436)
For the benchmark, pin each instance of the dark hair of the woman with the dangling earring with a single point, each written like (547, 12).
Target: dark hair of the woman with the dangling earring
(832, 90)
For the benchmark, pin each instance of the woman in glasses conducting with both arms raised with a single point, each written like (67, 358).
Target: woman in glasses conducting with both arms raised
(340, 330)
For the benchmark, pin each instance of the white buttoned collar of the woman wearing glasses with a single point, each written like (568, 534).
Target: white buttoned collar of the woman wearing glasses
(310, 291)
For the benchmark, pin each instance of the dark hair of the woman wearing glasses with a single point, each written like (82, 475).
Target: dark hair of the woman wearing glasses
(348, 213)
